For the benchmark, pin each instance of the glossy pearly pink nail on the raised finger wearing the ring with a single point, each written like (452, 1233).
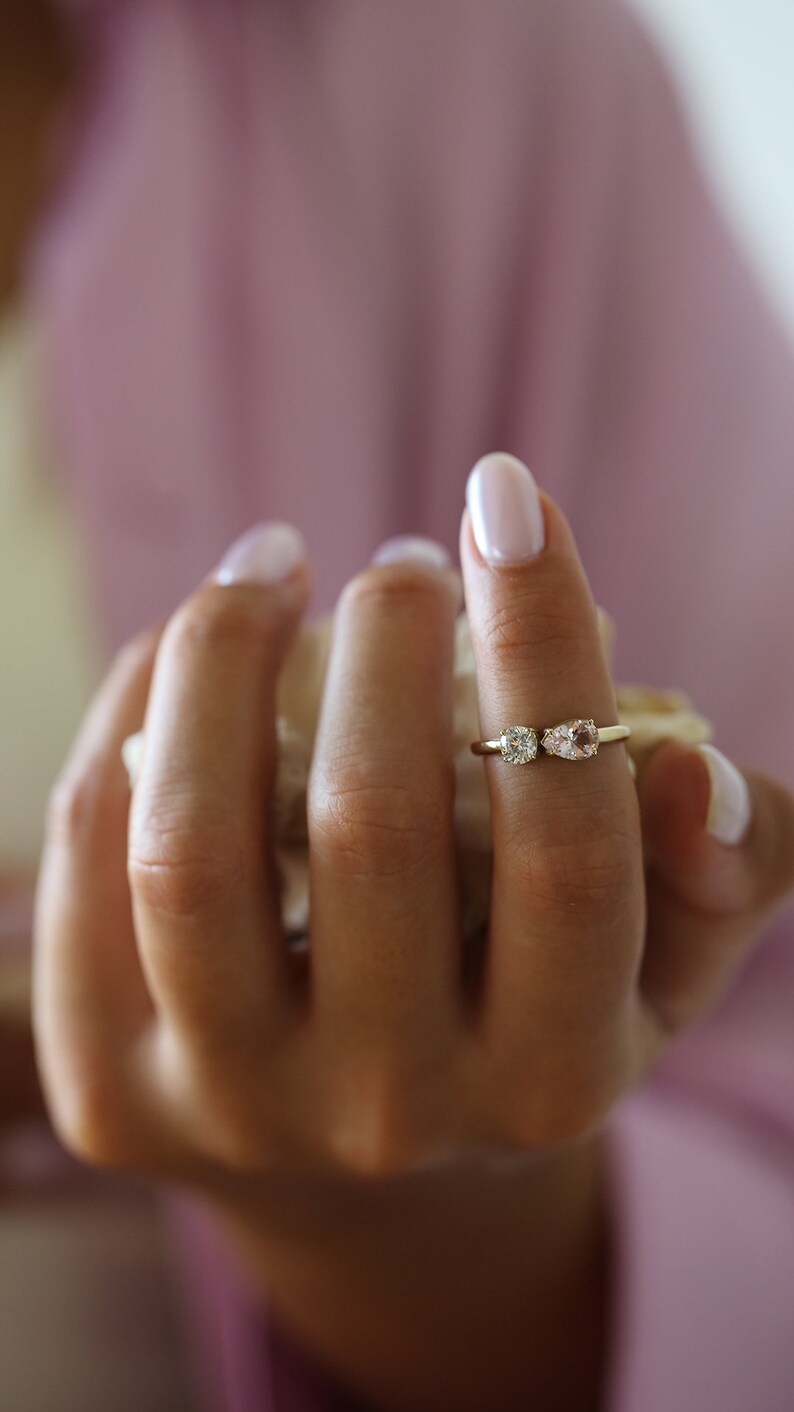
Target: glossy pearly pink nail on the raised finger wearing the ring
(505, 509)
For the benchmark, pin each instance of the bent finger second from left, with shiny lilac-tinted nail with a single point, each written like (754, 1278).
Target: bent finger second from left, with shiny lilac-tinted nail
(200, 865)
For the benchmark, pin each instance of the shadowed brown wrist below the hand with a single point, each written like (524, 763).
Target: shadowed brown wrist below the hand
(470, 1287)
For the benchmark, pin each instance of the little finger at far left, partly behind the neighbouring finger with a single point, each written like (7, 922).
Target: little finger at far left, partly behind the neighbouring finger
(90, 995)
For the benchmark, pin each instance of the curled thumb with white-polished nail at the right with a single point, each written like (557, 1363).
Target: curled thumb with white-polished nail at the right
(721, 861)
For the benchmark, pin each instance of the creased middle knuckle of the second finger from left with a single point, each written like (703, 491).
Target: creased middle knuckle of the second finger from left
(183, 869)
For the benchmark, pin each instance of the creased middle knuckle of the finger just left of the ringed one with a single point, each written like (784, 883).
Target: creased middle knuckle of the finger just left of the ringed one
(365, 827)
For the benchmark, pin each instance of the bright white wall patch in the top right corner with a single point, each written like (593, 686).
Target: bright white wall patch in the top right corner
(735, 63)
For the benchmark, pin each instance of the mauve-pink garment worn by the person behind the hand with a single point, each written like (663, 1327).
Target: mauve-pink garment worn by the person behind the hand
(310, 262)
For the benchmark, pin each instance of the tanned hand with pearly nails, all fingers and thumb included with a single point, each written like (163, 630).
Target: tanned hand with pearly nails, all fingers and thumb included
(179, 1036)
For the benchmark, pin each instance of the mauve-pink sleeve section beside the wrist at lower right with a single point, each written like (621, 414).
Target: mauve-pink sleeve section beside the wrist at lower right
(707, 1290)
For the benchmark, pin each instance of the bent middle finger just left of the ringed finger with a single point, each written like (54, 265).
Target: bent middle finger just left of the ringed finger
(384, 892)
